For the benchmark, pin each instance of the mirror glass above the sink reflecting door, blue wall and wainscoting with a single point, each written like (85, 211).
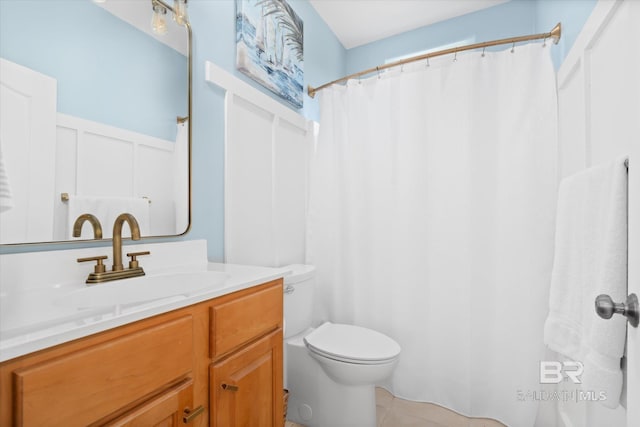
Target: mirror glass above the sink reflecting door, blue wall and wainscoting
(94, 114)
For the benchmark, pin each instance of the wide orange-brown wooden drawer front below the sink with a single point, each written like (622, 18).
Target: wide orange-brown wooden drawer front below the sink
(83, 387)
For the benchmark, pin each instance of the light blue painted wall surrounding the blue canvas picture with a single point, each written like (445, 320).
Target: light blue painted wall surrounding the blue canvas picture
(213, 25)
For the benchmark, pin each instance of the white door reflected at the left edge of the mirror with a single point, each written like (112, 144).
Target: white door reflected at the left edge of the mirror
(28, 152)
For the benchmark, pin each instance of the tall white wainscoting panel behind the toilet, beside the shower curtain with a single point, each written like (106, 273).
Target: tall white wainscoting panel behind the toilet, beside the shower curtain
(267, 147)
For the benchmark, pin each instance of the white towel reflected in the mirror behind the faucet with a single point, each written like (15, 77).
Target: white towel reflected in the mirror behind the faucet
(107, 209)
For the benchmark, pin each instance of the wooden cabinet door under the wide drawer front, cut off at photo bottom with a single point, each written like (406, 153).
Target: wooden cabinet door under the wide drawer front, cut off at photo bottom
(165, 410)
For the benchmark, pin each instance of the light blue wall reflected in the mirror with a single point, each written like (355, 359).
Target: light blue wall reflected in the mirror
(122, 86)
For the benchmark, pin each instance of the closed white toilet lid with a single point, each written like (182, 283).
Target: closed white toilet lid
(351, 343)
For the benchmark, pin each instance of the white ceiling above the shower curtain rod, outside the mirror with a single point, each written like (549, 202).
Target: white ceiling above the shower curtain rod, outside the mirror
(358, 22)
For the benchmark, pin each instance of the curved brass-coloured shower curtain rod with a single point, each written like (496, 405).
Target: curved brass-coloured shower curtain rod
(554, 34)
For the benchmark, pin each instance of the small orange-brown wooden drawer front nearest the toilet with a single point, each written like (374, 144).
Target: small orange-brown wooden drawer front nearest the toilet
(245, 318)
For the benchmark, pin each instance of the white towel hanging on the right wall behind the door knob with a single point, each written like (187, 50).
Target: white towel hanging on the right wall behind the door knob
(590, 259)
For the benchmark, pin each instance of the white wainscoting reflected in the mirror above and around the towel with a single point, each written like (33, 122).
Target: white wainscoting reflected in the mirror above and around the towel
(94, 159)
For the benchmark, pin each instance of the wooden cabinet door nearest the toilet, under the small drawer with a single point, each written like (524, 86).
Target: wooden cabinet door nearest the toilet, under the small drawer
(246, 388)
